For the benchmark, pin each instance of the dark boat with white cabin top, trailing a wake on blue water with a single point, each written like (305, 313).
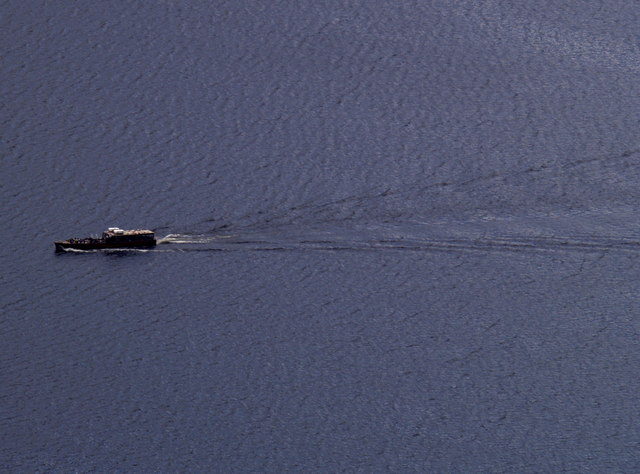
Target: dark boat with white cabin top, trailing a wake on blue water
(112, 238)
